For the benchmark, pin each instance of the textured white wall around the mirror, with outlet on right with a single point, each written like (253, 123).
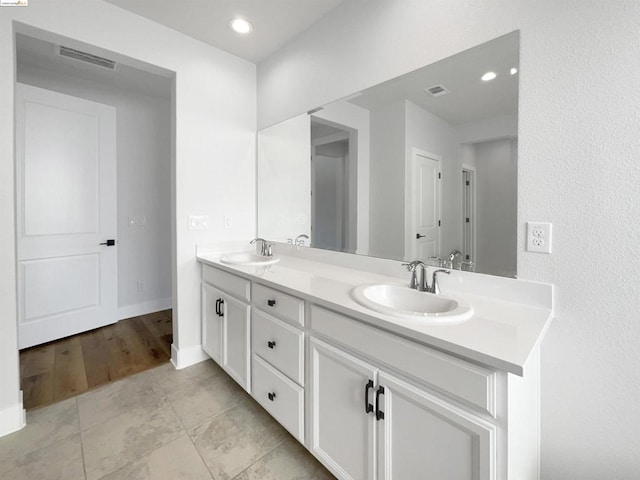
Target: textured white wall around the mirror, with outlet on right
(577, 167)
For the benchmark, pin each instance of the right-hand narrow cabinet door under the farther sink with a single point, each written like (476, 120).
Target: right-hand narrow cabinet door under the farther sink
(235, 340)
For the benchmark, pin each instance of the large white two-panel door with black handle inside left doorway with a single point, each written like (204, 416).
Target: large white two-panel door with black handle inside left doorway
(66, 187)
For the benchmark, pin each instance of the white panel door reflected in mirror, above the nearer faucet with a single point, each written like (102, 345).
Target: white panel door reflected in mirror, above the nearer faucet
(426, 201)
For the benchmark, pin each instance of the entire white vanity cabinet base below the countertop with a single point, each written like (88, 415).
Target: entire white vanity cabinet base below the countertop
(368, 403)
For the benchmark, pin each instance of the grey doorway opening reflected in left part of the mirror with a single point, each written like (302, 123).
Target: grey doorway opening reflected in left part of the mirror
(329, 186)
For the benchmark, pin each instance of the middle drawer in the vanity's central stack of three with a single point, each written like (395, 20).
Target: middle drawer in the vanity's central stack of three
(279, 343)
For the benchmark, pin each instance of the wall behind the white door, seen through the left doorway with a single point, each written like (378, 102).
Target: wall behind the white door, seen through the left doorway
(143, 130)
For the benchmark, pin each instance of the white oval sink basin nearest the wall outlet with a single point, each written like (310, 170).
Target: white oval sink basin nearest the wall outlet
(402, 301)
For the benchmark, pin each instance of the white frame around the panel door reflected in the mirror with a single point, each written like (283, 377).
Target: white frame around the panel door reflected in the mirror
(410, 209)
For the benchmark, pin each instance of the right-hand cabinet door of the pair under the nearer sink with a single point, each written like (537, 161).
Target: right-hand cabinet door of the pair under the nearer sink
(422, 436)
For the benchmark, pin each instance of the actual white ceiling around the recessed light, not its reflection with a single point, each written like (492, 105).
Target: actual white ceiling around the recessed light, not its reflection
(275, 22)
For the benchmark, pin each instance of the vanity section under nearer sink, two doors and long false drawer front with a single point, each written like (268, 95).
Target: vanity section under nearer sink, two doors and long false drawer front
(367, 423)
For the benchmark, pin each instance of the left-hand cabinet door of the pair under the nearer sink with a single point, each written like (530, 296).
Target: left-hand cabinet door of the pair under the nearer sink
(342, 431)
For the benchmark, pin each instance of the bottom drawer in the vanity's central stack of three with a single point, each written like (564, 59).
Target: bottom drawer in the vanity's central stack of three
(279, 396)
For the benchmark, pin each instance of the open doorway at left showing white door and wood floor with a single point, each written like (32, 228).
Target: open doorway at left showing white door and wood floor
(121, 217)
